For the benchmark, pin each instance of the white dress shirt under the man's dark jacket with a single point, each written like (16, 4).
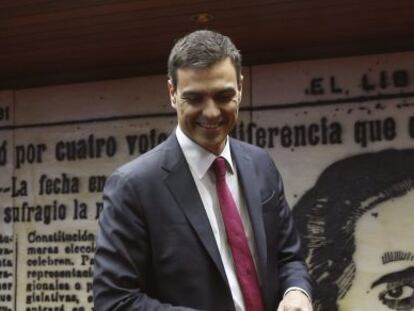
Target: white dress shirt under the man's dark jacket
(200, 160)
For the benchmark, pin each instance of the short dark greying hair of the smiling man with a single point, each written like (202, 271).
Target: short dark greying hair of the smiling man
(202, 49)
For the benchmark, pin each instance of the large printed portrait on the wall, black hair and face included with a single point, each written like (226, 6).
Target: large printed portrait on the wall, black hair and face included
(356, 227)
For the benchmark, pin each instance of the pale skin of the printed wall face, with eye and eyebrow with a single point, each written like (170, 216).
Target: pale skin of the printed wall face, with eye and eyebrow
(384, 258)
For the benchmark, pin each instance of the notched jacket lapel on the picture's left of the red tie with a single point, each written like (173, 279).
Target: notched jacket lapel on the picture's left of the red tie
(182, 186)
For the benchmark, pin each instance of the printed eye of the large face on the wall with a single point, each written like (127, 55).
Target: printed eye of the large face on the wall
(398, 296)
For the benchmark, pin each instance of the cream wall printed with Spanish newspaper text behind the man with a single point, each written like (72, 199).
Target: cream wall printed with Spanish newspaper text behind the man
(59, 144)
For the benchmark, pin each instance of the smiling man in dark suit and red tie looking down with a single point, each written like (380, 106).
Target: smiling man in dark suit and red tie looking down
(165, 240)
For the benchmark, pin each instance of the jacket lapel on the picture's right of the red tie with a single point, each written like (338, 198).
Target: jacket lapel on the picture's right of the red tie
(248, 180)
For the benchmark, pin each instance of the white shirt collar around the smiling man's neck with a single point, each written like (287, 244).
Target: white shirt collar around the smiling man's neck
(198, 158)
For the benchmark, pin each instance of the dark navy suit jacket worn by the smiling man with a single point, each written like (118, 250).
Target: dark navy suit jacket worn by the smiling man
(155, 247)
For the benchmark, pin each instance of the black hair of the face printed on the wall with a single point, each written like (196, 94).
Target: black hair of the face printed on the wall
(327, 214)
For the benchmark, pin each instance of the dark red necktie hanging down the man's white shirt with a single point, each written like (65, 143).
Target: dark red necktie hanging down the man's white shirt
(243, 260)
